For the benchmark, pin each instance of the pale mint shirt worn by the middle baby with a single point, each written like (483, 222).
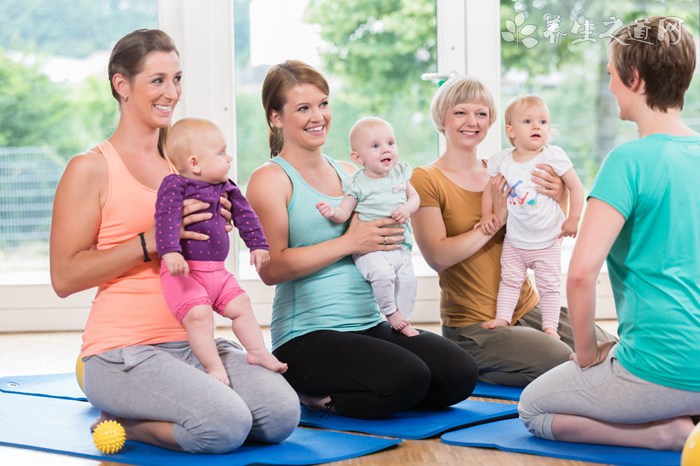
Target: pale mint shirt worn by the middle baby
(377, 197)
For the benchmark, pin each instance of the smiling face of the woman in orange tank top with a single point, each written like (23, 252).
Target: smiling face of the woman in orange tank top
(152, 94)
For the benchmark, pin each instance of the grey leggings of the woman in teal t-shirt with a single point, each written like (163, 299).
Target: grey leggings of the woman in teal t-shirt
(606, 392)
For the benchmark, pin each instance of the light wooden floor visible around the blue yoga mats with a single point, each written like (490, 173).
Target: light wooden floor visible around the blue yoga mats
(45, 353)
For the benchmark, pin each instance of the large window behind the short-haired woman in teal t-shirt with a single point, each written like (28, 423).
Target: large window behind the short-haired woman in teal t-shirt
(557, 49)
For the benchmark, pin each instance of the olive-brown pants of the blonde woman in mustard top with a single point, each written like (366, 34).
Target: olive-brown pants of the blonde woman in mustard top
(516, 355)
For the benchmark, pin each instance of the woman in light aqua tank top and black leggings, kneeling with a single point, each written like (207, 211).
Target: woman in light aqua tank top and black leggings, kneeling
(343, 356)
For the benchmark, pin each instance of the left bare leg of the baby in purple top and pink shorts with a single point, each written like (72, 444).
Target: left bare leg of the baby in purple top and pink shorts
(199, 323)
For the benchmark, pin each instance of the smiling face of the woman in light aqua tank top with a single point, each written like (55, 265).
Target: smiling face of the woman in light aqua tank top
(305, 118)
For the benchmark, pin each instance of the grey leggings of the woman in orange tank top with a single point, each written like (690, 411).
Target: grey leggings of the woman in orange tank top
(166, 382)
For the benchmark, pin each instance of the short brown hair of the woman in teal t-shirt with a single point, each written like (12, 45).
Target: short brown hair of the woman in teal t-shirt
(665, 65)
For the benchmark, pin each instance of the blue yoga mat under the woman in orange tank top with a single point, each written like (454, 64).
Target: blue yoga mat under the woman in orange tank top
(63, 426)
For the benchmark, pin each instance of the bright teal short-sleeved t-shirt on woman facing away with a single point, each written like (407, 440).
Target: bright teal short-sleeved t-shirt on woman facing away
(654, 264)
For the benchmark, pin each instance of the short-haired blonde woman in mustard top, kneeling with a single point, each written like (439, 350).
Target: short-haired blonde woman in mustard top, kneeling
(446, 228)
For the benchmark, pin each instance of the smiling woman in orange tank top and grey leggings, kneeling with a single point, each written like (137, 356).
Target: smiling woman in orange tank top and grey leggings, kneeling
(138, 366)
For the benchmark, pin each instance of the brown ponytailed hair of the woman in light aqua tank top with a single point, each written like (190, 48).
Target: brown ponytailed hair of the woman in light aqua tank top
(280, 79)
